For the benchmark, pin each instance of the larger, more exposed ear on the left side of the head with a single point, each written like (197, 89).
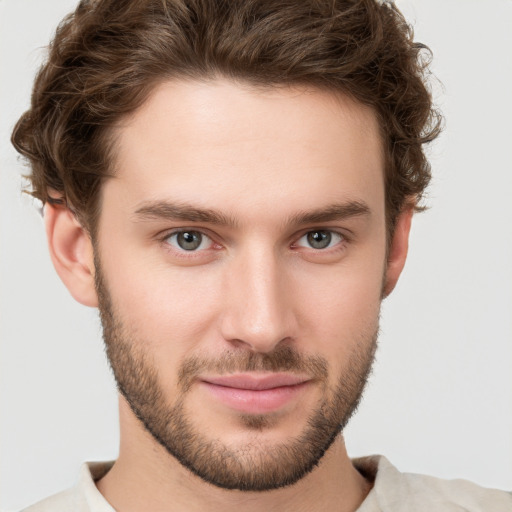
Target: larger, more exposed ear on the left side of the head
(71, 252)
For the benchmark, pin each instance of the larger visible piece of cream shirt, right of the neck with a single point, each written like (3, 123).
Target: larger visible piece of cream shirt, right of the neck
(397, 492)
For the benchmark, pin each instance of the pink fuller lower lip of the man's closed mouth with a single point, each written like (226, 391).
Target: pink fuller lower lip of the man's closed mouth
(252, 401)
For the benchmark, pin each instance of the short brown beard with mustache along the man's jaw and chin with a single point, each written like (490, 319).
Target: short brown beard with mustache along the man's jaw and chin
(255, 466)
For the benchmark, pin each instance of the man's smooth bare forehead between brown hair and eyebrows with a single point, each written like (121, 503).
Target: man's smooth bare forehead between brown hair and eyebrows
(224, 144)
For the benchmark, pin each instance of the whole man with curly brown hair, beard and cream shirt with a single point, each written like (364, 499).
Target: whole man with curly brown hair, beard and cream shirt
(232, 185)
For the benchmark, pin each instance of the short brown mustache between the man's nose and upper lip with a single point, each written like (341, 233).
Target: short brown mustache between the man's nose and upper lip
(282, 359)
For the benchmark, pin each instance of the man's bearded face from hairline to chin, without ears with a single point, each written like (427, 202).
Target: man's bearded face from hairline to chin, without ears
(240, 261)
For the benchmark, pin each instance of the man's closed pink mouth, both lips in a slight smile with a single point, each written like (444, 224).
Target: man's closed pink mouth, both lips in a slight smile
(253, 393)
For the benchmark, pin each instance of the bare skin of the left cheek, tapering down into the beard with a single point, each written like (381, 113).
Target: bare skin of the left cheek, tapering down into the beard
(166, 315)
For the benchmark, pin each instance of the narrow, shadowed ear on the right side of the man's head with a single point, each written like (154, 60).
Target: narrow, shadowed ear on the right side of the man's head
(398, 250)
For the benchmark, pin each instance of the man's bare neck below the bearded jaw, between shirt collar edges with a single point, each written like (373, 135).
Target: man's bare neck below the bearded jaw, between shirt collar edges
(146, 477)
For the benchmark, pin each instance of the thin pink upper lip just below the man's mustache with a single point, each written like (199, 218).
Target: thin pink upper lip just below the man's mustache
(256, 382)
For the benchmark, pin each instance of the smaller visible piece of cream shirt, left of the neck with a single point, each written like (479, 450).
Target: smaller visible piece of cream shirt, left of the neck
(83, 497)
